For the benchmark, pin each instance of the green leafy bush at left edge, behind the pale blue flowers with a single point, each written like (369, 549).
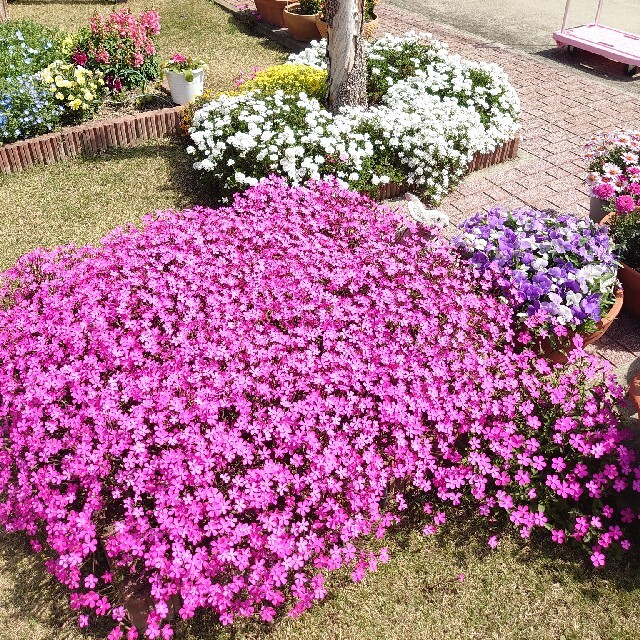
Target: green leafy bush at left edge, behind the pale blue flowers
(27, 47)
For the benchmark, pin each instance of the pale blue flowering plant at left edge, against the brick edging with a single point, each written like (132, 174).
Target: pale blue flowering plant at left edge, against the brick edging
(26, 109)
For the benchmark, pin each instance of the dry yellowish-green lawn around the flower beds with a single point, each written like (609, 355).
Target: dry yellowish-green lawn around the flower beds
(519, 591)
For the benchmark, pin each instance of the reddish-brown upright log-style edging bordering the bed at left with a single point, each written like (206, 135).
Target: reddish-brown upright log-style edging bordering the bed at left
(90, 138)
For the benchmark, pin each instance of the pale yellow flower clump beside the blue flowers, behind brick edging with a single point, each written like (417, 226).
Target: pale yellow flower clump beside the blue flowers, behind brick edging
(76, 89)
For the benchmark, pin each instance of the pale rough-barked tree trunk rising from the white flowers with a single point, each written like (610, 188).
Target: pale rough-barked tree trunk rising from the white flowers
(345, 53)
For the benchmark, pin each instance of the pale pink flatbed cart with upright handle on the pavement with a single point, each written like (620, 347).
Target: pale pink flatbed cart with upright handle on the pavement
(613, 44)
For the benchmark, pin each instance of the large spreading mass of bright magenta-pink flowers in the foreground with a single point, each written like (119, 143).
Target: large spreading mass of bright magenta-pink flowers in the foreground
(225, 396)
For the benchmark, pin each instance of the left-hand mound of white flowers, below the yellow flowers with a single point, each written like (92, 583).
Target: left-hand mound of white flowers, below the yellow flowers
(244, 138)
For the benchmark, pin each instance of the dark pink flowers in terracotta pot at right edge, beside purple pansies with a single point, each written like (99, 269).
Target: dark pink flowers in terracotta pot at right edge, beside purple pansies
(624, 227)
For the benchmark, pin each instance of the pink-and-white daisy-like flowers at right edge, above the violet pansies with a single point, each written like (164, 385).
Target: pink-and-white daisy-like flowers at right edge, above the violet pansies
(613, 168)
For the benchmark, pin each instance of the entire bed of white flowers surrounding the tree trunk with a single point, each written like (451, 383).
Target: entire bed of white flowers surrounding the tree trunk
(431, 112)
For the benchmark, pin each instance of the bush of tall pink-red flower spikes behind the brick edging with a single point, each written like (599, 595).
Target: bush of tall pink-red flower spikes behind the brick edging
(122, 47)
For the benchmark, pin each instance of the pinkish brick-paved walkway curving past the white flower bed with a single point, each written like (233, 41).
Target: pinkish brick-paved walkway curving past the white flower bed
(559, 111)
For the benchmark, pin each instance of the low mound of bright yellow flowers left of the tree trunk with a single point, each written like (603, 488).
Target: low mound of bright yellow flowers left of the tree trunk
(290, 78)
